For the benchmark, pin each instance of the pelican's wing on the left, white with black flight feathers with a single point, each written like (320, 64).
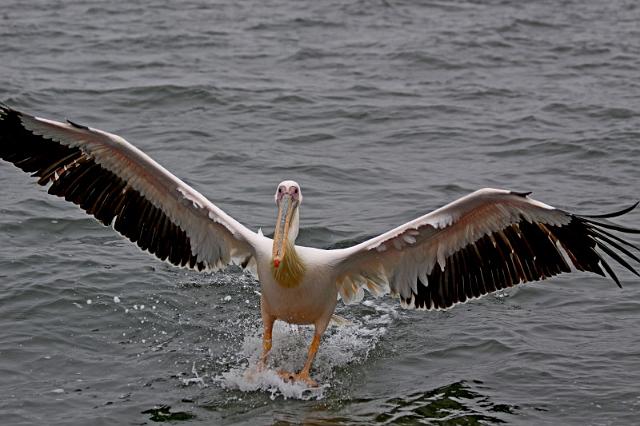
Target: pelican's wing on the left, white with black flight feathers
(121, 186)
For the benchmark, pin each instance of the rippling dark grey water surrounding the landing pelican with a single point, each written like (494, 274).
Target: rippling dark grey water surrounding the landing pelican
(382, 110)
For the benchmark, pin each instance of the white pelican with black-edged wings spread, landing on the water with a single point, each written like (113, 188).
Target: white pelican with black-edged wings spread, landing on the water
(488, 240)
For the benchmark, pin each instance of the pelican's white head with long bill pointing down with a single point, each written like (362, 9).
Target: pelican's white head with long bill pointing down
(288, 198)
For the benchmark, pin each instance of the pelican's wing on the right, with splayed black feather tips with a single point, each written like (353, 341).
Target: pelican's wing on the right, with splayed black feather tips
(486, 241)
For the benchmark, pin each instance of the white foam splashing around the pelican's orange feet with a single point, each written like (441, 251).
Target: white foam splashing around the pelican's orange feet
(348, 343)
